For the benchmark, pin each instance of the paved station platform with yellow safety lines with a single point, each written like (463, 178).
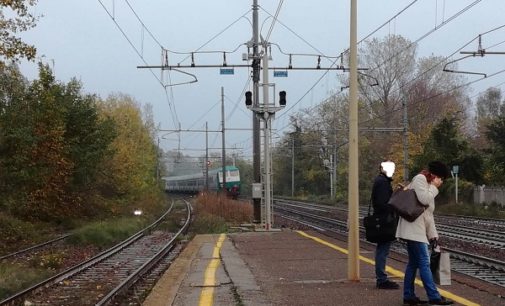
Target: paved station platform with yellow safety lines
(290, 268)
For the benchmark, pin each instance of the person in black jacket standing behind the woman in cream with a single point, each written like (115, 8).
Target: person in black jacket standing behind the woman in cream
(381, 192)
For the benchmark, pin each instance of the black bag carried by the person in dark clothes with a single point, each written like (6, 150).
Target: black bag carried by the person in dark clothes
(380, 227)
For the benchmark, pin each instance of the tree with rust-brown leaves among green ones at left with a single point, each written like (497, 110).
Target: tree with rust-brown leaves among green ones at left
(47, 168)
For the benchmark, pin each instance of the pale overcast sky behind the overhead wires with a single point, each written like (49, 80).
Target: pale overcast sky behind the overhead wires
(80, 39)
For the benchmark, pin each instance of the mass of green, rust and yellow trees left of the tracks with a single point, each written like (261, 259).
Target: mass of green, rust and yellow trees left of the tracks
(66, 155)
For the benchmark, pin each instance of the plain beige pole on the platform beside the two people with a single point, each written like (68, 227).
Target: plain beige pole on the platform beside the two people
(353, 219)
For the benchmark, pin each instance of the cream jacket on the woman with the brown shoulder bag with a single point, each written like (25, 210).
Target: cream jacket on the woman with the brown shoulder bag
(423, 228)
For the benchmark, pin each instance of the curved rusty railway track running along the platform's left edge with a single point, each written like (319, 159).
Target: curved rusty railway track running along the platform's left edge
(109, 275)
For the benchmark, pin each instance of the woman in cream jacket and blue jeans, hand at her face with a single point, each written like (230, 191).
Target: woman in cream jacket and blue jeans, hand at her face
(418, 233)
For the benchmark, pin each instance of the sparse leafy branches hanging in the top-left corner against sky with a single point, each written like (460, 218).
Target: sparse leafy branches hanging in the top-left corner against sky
(15, 18)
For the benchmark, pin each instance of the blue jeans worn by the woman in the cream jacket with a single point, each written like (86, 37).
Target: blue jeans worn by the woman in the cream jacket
(419, 259)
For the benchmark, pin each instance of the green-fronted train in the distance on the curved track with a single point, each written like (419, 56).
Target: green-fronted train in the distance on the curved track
(195, 183)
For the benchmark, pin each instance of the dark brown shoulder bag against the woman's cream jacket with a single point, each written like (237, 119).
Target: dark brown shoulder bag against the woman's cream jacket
(406, 204)
